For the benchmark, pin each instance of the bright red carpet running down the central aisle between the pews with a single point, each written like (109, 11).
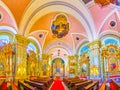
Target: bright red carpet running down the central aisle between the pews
(57, 85)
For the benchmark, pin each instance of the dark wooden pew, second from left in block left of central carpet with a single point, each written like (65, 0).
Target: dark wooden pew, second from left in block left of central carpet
(40, 86)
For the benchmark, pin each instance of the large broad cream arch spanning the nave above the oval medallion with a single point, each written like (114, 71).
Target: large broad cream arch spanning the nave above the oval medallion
(74, 9)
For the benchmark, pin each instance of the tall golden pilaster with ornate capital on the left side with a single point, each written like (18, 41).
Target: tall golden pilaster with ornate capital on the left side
(21, 43)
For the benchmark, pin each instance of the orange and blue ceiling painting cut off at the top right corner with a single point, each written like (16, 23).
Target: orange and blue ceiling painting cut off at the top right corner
(106, 2)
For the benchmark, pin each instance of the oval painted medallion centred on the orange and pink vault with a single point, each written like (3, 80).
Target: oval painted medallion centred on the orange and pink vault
(60, 26)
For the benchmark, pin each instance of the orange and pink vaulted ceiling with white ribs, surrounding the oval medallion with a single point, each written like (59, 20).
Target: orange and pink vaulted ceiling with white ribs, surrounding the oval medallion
(33, 18)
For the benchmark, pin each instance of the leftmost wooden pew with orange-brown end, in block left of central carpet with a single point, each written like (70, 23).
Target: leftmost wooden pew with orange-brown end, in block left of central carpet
(24, 86)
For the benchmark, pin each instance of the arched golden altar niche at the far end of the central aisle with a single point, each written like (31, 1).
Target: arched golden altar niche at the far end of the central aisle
(58, 67)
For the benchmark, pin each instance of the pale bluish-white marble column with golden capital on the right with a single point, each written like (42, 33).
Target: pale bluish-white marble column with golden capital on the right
(94, 56)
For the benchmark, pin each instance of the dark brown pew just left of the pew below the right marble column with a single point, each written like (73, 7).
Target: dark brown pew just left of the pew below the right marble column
(80, 86)
